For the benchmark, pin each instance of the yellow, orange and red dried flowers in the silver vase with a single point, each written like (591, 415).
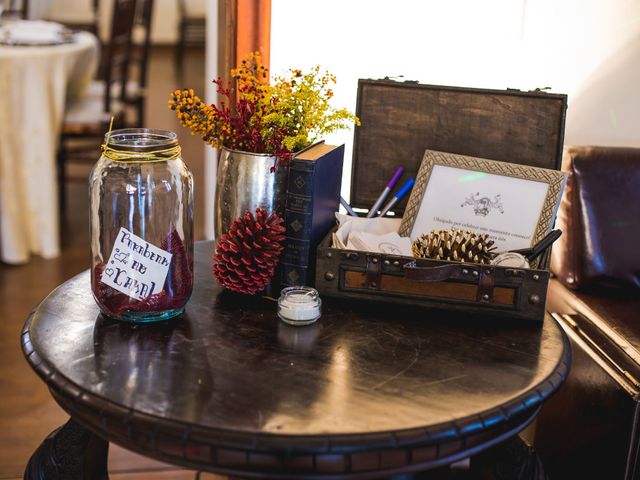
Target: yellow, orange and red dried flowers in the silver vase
(278, 119)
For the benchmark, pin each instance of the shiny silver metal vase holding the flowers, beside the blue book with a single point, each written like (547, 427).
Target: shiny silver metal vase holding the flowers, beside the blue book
(245, 182)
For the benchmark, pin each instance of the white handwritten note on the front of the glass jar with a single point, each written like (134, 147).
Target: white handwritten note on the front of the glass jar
(136, 268)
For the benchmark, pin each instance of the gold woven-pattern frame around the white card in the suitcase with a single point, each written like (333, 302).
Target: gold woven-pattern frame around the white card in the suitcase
(555, 179)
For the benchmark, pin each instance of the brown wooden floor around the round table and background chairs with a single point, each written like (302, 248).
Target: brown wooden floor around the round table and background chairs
(27, 412)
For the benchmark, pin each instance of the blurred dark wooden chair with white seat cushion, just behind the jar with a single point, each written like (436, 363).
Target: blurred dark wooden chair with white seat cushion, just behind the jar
(87, 120)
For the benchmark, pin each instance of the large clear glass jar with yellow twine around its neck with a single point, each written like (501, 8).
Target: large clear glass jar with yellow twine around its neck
(141, 226)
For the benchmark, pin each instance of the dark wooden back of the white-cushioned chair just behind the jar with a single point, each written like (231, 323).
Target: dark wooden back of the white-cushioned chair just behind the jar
(118, 52)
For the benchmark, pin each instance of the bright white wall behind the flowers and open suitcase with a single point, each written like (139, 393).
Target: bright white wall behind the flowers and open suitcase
(588, 49)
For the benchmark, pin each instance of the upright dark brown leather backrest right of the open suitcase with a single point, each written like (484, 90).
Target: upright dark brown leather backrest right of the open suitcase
(600, 218)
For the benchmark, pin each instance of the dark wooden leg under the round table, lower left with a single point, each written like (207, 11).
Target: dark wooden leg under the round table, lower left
(70, 452)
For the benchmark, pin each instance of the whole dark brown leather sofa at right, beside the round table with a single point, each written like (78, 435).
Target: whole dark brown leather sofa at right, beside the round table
(591, 427)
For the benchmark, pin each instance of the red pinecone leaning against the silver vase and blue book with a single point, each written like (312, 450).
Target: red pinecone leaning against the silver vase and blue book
(246, 256)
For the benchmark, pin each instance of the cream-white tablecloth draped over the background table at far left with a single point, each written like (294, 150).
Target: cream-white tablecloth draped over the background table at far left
(35, 85)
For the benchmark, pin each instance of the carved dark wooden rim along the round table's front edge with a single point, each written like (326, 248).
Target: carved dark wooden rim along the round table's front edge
(233, 452)
